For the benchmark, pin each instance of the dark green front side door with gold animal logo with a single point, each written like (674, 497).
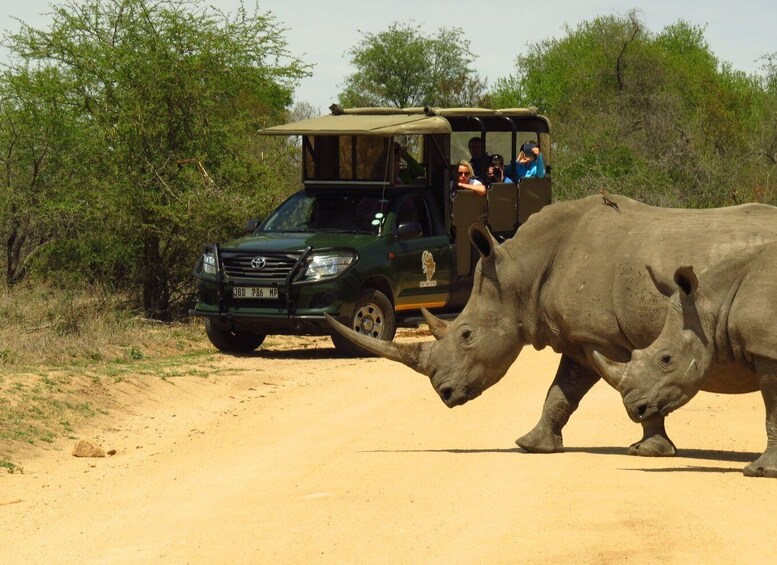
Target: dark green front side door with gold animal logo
(421, 256)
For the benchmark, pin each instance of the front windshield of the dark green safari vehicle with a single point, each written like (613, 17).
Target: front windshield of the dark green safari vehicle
(329, 212)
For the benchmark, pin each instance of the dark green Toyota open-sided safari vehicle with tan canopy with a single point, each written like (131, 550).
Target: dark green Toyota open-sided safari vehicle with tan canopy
(357, 243)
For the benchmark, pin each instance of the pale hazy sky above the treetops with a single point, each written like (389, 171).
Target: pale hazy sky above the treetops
(320, 33)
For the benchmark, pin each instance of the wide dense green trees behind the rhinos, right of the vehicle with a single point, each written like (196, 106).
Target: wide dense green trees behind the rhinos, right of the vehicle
(654, 116)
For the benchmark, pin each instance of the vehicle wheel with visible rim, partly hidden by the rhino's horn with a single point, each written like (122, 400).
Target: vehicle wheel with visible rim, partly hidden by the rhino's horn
(373, 315)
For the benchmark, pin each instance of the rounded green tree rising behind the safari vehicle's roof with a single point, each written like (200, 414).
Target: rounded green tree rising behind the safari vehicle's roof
(404, 67)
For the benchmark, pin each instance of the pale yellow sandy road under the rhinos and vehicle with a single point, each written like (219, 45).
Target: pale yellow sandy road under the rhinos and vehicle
(297, 456)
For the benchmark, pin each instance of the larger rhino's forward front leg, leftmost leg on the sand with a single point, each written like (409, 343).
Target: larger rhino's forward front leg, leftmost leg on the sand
(571, 383)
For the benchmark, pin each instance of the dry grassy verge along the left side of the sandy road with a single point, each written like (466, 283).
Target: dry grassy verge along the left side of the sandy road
(61, 353)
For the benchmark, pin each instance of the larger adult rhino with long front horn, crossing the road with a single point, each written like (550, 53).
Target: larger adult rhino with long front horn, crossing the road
(573, 278)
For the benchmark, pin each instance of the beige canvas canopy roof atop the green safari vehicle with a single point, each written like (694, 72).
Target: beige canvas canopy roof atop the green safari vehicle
(403, 121)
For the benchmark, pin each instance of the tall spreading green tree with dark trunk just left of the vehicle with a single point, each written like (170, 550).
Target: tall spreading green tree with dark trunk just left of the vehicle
(172, 94)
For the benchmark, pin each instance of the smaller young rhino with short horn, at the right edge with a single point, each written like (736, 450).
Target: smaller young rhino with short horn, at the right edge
(718, 334)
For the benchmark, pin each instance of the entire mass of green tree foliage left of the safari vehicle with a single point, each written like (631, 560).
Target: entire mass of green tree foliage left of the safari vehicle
(148, 138)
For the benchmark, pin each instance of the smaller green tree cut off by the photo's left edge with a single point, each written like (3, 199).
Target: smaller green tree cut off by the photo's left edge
(46, 153)
